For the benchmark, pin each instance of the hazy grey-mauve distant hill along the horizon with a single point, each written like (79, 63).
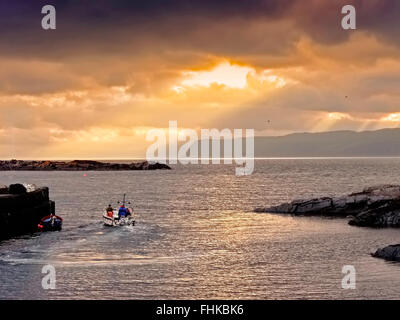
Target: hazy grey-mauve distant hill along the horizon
(380, 143)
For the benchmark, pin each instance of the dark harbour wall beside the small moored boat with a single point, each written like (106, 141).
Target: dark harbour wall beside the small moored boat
(21, 209)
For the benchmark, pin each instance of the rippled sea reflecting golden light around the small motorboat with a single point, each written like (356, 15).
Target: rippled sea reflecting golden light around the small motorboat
(197, 238)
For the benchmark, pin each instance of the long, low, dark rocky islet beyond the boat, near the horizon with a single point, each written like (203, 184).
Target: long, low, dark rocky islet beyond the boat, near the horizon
(77, 165)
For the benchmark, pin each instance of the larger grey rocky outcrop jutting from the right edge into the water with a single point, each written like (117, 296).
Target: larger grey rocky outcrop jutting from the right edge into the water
(373, 207)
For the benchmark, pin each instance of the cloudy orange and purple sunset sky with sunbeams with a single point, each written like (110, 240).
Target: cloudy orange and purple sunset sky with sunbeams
(112, 70)
